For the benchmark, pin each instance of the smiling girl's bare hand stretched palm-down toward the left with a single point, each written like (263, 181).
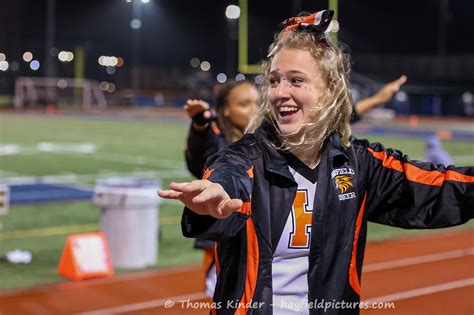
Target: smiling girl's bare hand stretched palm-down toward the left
(203, 197)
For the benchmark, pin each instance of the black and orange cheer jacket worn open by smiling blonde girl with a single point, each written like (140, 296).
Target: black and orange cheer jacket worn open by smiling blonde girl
(381, 185)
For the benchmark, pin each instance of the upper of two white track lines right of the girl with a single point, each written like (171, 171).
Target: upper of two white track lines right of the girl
(418, 260)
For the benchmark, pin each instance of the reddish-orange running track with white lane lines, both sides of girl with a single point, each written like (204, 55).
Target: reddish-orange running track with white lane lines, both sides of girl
(420, 275)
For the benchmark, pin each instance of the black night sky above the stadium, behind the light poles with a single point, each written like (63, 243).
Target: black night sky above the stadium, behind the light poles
(175, 30)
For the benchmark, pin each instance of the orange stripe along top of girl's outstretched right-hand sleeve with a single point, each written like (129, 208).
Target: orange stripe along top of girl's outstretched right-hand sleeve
(418, 175)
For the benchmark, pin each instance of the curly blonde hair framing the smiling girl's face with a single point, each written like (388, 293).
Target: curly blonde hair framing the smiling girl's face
(334, 107)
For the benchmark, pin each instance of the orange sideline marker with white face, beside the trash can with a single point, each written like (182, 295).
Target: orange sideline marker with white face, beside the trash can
(86, 256)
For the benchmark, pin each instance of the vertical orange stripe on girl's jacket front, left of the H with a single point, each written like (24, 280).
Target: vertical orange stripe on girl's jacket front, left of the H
(252, 269)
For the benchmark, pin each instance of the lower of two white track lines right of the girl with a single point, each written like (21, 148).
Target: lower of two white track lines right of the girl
(422, 291)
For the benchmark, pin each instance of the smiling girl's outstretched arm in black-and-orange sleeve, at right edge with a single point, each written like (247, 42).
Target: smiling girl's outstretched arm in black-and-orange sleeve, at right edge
(413, 194)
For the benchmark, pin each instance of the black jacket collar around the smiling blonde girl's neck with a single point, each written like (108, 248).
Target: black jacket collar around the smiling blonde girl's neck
(275, 160)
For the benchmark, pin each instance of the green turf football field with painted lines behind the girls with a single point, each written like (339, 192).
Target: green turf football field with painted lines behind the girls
(80, 150)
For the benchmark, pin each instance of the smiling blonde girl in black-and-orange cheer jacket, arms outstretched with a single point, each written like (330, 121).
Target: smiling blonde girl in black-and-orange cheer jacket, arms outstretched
(288, 204)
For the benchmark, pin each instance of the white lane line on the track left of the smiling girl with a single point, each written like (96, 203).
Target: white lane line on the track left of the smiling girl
(148, 304)
